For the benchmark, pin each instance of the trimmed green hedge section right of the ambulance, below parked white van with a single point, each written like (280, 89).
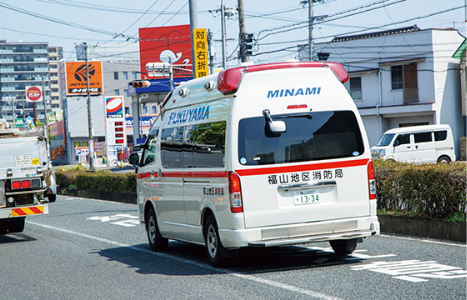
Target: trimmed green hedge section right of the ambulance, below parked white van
(437, 191)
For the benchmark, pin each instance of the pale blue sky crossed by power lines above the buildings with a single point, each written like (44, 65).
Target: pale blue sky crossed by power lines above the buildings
(110, 26)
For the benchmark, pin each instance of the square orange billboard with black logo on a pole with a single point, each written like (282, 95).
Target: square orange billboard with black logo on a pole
(75, 77)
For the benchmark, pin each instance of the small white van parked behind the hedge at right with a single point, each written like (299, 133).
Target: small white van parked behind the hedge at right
(417, 144)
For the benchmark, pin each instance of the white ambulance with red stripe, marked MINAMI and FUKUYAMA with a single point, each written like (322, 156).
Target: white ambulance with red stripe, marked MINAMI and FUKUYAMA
(258, 156)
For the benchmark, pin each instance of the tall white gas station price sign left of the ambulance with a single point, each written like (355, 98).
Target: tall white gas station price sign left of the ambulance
(115, 136)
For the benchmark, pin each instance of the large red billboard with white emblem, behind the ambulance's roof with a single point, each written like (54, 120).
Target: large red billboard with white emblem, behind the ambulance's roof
(166, 44)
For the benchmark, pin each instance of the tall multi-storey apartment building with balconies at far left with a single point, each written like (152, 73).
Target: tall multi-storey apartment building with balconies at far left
(22, 65)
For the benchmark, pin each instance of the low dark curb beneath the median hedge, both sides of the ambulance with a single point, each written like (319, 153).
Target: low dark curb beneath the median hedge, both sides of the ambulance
(426, 228)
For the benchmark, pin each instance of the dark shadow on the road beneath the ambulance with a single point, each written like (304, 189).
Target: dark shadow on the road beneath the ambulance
(187, 259)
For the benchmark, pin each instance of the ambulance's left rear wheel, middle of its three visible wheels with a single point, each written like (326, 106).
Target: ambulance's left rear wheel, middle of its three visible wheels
(213, 243)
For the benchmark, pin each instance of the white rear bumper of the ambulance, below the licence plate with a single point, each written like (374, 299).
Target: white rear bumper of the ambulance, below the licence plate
(300, 233)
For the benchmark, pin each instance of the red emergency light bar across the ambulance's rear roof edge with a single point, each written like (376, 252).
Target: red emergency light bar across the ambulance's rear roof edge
(228, 81)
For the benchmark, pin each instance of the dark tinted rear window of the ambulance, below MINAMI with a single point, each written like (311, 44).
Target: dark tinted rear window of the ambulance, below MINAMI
(309, 137)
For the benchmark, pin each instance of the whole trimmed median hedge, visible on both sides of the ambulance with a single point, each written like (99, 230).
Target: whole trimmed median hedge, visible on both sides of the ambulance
(437, 191)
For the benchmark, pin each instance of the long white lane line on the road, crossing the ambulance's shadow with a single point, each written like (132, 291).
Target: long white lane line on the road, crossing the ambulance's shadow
(206, 266)
